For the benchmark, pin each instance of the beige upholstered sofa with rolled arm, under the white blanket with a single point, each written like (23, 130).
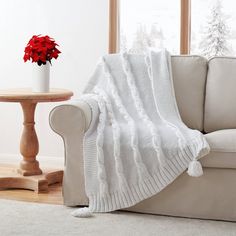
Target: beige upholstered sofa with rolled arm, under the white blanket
(206, 97)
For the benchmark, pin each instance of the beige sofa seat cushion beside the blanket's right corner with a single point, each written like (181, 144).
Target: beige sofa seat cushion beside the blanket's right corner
(223, 149)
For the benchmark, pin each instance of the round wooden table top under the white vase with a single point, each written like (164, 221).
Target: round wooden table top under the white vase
(26, 94)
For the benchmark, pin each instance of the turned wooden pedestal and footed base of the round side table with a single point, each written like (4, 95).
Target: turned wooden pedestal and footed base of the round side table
(29, 174)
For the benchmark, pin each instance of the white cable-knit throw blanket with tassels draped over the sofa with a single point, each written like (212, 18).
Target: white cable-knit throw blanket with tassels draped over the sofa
(137, 143)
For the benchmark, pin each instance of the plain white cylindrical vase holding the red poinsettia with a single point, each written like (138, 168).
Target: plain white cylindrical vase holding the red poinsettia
(40, 78)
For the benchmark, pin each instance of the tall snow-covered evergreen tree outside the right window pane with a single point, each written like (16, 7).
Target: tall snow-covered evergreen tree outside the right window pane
(216, 32)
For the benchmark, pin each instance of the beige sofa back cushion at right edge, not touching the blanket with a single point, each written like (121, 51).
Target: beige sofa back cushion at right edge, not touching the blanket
(220, 104)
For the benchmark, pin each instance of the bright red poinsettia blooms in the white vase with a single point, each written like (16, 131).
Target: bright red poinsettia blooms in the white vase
(41, 49)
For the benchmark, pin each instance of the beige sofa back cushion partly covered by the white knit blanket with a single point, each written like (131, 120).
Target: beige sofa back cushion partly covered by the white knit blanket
(189, 77)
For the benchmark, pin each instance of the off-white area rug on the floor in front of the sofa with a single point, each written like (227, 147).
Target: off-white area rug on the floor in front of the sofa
(23, 218)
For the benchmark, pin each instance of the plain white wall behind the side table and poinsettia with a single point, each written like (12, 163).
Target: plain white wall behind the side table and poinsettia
(81, 29)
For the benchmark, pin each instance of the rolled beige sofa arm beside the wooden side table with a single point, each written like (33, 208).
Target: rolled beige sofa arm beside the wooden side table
(70, 121)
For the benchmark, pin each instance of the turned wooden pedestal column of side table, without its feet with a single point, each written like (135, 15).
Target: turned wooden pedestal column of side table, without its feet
(29, 145)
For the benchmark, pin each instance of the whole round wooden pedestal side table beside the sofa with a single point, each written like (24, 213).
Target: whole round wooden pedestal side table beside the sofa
(29, 175)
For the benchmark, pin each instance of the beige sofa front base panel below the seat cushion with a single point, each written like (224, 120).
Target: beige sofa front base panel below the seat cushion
(211, 196)
